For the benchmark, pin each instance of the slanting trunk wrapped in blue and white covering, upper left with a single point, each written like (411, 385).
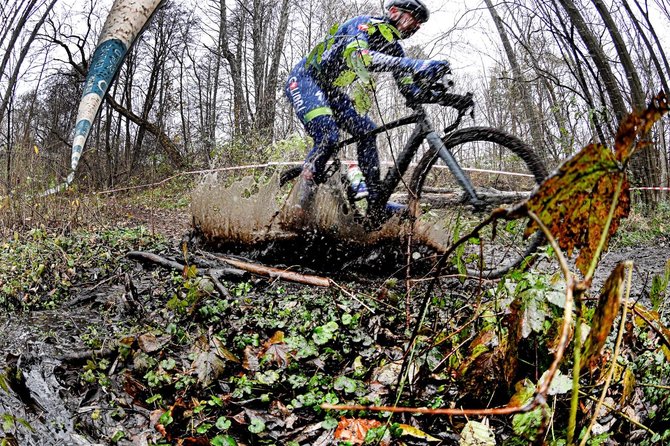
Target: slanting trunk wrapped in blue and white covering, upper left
(124, 23)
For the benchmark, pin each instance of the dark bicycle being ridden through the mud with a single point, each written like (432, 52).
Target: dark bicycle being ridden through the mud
(446, 197)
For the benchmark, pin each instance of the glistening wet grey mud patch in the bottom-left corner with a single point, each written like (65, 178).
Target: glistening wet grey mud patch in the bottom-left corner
(43, 400)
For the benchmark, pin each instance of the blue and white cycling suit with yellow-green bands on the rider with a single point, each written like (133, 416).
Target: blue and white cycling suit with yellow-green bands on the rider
(324, 108)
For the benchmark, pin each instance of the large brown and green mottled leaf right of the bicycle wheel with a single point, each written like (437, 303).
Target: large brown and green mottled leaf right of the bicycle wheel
(575, 202)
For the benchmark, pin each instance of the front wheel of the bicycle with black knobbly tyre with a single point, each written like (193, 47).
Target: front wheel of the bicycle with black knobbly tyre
(488, 155)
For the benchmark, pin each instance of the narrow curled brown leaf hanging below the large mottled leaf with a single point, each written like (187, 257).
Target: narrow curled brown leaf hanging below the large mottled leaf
(603, 318)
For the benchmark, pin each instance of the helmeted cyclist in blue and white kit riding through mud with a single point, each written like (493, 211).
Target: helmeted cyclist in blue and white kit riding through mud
(324, 108)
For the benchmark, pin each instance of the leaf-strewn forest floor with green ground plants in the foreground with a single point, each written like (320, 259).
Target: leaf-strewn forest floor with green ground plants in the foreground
(99, 348)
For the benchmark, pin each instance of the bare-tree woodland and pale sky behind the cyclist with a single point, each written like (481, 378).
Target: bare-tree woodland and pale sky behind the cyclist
(202, 87)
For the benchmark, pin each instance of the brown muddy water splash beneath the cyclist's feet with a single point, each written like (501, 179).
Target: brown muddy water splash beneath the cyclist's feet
(257, 218)
